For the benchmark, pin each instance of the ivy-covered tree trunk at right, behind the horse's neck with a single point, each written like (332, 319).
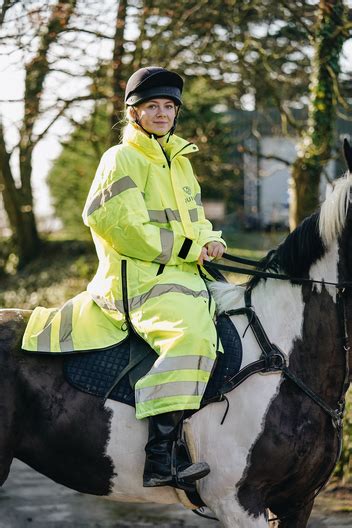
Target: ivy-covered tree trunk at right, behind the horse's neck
(316, 144)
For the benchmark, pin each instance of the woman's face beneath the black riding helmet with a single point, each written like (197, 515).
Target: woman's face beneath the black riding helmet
(157, 115)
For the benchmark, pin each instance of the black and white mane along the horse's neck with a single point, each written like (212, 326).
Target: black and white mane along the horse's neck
(304, 246)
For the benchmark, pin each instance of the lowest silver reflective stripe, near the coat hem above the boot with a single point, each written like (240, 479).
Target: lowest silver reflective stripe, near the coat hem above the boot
(172, 389)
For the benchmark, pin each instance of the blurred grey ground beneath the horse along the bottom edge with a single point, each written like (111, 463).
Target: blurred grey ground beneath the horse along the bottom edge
(29, 500)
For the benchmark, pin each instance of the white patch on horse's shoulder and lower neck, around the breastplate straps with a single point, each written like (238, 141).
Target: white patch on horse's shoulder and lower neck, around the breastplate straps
(279, 306)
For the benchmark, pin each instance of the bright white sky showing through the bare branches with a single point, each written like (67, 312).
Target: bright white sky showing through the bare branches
(11, 87)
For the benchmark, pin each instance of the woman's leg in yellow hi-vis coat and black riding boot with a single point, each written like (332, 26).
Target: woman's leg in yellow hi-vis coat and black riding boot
(182, 332)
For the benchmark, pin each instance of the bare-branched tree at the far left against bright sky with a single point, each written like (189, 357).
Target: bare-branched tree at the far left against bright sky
(49, 40)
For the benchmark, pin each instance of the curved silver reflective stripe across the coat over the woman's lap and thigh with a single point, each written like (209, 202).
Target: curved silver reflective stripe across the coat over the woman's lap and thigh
(157, 290)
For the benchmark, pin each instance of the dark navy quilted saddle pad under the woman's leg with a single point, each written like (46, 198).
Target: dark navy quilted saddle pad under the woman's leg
(113, 372)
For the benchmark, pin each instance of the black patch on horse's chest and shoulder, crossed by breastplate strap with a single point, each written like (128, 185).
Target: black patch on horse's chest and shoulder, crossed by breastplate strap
(294, 424)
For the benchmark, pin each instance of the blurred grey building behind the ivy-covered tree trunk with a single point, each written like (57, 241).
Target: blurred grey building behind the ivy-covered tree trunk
(267, 160)
